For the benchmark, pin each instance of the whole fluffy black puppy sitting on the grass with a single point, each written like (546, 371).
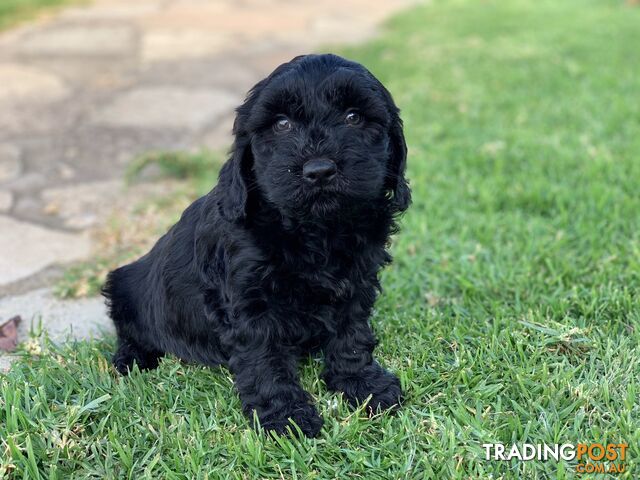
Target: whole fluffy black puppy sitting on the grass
(281, 257)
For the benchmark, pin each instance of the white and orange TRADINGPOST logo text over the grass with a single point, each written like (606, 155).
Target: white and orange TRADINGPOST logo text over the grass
(591, 457)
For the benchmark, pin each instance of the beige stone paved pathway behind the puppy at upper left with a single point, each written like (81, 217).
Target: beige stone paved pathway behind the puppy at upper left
(85, 92)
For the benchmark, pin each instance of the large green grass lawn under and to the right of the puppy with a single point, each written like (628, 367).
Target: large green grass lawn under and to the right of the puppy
(511, 312)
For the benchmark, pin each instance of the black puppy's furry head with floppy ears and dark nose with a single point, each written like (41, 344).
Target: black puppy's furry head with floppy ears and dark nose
(319, 135)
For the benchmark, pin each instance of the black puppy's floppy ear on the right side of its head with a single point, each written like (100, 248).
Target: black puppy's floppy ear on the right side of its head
(396, 180)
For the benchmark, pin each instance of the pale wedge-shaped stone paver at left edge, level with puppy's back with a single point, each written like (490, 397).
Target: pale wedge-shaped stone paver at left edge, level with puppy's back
(27, 248)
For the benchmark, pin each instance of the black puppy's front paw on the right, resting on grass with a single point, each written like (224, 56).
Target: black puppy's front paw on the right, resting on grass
(373, 380)
